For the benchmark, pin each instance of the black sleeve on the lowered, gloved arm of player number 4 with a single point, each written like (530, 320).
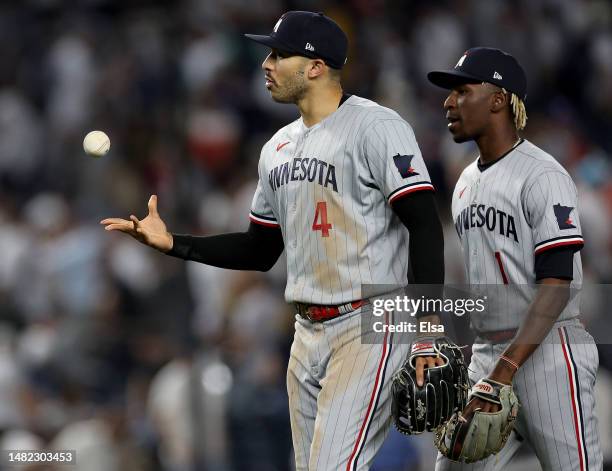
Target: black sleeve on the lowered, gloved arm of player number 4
(419, 214)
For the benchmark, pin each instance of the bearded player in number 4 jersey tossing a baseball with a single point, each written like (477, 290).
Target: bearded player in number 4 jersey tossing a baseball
(337, 190)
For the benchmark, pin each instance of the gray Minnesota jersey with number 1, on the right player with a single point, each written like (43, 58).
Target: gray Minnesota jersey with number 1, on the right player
(505, 214)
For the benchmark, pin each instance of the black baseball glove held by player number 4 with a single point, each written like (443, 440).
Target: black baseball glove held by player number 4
(416, 409)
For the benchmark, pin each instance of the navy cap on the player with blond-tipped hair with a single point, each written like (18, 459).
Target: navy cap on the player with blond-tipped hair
(484, 64)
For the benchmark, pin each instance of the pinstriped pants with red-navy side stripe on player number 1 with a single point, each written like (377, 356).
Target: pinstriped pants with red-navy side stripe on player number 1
(556, 388)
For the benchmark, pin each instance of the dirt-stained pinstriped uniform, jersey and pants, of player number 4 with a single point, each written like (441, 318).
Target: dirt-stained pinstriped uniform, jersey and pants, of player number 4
(329, 189)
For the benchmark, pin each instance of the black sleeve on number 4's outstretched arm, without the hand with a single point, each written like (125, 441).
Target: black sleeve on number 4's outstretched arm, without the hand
(257, 249)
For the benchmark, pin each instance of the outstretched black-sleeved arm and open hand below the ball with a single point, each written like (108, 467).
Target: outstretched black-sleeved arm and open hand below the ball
(256, 249)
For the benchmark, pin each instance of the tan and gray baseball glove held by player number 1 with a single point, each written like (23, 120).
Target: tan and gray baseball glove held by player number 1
(474, 438)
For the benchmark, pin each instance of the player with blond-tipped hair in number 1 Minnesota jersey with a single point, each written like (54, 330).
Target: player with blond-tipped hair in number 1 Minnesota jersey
(516, 212)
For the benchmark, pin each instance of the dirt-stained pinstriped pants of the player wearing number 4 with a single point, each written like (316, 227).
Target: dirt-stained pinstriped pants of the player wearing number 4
(339, 393)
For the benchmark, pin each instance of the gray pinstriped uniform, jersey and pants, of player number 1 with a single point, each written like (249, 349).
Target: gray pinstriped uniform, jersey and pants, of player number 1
(505, 215)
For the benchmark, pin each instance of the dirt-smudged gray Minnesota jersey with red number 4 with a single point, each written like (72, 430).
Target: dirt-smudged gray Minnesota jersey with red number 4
(328, 187)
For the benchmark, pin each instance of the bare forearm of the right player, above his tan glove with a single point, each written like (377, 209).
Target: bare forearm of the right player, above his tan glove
(551, 298)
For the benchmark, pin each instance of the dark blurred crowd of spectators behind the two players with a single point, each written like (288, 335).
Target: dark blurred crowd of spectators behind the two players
(144, 362)
